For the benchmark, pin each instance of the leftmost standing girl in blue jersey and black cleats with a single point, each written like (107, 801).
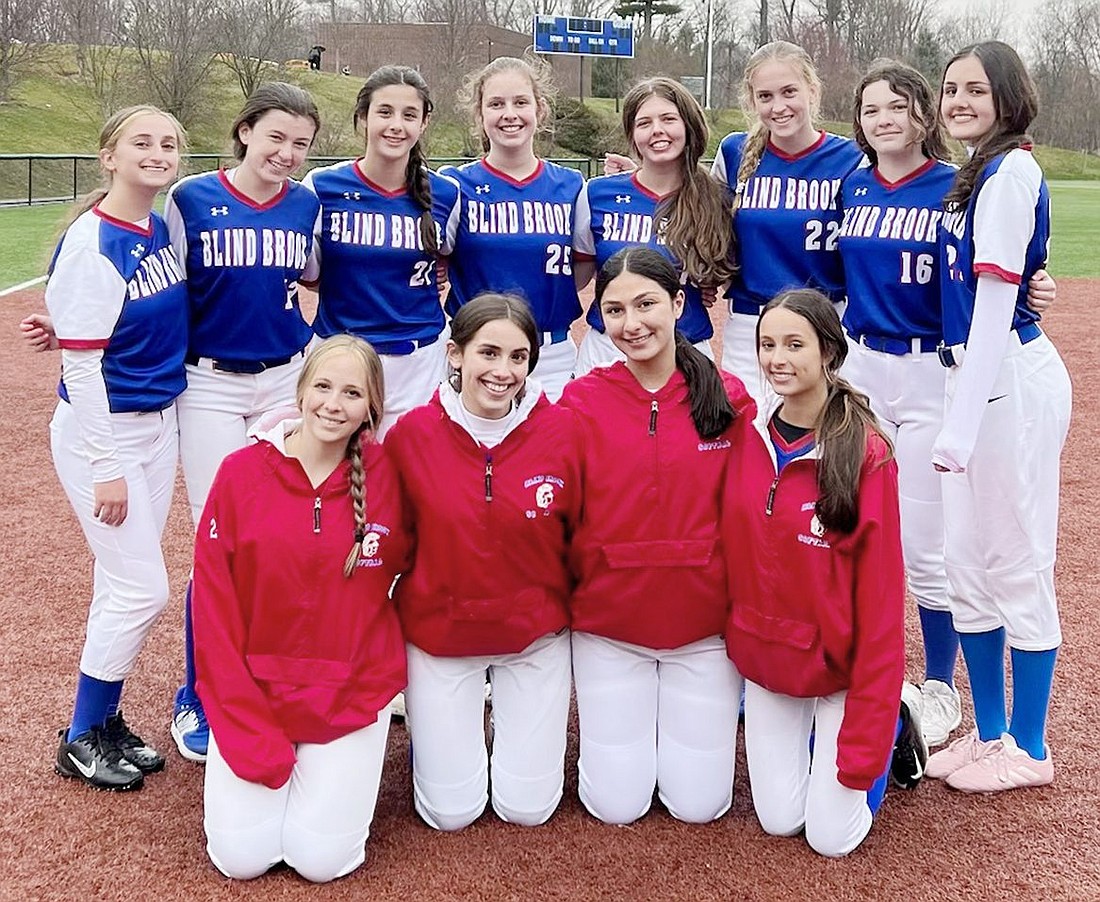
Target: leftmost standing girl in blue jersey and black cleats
(118, 305)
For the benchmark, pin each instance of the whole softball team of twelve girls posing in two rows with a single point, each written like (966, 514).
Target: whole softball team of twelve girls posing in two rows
(430, 494)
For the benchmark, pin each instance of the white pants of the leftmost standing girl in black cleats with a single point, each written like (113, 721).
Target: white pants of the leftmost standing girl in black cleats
(130, 584)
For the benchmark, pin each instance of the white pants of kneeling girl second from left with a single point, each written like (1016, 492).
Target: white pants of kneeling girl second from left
(446, 719)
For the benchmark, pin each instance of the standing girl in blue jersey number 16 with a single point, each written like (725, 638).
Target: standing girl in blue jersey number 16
(893, 214)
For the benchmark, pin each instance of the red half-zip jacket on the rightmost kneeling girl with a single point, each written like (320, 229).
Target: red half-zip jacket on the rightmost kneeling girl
(815, 612)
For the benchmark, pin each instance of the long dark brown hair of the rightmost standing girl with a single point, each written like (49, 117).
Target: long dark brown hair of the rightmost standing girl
(1016, 102)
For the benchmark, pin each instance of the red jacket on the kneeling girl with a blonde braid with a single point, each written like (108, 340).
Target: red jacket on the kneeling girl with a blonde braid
(288, 650)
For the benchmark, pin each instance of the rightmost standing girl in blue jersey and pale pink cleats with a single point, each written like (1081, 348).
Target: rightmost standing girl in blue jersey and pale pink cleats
(1008, 411)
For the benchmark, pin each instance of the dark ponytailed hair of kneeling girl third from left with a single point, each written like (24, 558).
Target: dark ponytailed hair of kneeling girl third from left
(711, 410)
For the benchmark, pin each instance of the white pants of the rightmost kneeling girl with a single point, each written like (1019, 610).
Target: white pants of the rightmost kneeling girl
(790, 790)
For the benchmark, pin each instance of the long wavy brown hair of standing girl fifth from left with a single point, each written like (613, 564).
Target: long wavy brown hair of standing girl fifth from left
(696, 218)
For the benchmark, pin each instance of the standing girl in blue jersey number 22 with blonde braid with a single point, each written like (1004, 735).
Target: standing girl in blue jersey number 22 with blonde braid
(786, 173)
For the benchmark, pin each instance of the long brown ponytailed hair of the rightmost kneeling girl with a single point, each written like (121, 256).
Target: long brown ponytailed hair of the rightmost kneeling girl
(842, 427)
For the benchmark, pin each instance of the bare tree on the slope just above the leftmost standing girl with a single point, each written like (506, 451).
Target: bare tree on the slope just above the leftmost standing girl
(173, 42)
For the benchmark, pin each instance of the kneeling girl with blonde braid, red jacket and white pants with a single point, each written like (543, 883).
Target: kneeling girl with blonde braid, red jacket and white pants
(299, 648)
